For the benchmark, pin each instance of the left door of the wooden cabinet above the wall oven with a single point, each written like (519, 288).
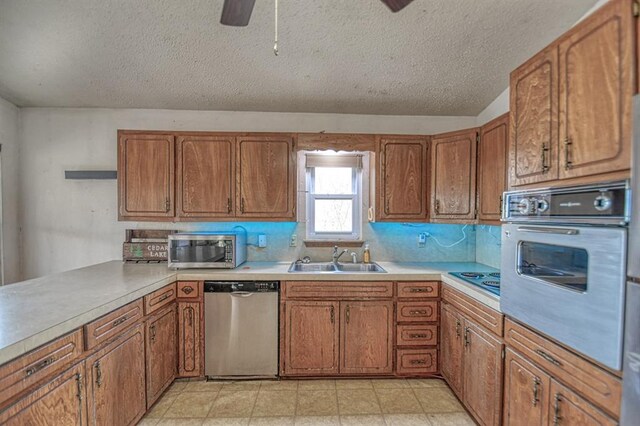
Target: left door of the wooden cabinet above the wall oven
(534, 113)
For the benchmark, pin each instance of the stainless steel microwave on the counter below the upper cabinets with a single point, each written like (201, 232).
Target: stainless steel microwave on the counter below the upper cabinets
(225, 250)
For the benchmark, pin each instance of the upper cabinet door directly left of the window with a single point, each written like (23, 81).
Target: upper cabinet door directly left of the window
(266, 177)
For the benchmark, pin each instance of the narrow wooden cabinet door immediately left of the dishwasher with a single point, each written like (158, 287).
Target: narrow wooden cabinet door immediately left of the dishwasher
(189, 339)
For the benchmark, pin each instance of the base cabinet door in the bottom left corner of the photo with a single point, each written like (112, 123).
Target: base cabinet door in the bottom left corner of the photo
(59, 401)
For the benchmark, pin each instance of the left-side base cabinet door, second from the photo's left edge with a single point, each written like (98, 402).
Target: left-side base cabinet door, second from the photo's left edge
(116, 381)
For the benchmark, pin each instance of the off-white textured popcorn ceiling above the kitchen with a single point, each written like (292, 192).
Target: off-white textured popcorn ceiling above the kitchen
(436, 57)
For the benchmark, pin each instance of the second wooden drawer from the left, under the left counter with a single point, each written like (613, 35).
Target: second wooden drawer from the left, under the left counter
(112, 324)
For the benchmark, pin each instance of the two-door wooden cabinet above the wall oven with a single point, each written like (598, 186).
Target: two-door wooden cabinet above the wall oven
(571, 103)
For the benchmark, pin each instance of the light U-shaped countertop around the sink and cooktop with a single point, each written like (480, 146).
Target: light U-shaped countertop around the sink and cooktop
(37, 311)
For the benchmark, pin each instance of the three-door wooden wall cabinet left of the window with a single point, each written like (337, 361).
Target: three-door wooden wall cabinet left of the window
(205, 176)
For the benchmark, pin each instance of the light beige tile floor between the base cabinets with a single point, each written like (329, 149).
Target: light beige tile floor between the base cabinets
(397, 402)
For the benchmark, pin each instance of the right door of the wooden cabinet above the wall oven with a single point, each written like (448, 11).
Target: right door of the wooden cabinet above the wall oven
(596, 89)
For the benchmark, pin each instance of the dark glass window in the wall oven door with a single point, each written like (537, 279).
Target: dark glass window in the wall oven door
(564, 266)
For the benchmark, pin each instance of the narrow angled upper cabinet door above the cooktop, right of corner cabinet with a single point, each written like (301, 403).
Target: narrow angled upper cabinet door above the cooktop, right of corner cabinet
(492, 168)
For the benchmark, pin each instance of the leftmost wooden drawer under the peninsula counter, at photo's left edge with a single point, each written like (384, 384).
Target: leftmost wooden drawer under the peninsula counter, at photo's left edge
(26, 371)
